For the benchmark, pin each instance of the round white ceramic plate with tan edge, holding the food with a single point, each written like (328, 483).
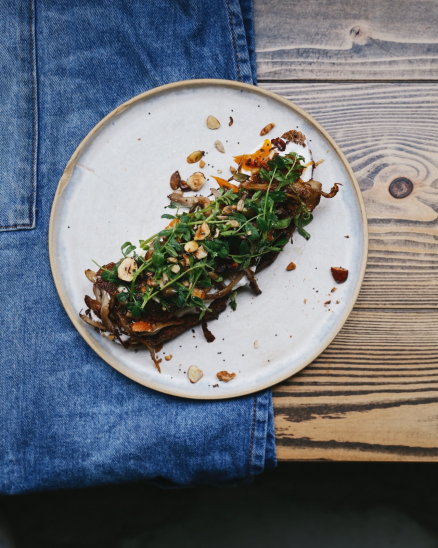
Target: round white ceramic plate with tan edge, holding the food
(115, 187)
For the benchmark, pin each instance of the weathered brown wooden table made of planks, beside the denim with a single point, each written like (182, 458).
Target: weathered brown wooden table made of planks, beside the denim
(368, 72)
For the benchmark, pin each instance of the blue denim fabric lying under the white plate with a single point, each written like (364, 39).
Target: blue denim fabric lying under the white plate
(67, 418)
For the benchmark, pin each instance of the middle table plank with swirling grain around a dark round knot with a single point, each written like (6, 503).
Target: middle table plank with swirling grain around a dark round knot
(387, 131)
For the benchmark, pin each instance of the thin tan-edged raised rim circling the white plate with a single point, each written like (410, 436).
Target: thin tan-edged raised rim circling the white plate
(65, 178)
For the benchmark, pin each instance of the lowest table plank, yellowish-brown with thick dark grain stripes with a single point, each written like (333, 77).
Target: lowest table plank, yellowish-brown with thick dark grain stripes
(372, 395)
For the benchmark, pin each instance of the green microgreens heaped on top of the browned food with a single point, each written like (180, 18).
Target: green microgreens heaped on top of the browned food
(233, 244)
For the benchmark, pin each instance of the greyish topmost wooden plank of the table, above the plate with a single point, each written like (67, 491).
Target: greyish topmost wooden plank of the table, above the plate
(346, 40)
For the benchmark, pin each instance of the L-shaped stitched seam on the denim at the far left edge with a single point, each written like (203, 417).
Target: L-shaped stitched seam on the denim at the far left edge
(32, 45)
